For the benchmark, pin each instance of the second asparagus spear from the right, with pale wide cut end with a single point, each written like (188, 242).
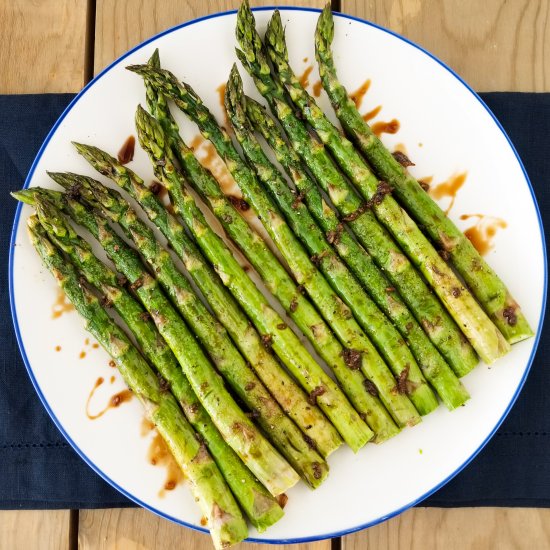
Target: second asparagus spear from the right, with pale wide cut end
(484, 336)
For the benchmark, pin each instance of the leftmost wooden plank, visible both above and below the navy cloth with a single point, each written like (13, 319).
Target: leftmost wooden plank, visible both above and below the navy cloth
(43, 47)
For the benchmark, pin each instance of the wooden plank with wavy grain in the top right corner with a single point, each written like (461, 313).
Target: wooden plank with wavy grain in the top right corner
(494, 45)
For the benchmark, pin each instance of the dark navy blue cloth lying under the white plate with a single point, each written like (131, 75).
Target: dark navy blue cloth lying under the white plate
(40, 469)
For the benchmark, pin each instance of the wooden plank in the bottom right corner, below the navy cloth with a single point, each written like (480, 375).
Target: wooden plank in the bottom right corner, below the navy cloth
(457, 529)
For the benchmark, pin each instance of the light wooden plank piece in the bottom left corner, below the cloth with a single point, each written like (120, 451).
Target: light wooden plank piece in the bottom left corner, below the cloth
(25, 529)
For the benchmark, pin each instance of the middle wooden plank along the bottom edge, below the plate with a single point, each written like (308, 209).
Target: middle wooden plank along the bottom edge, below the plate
(137, 529)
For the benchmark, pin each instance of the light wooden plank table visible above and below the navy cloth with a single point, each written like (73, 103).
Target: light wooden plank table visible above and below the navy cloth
(494, 45)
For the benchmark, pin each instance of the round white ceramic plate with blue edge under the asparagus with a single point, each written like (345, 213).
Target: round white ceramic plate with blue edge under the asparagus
(446, 130)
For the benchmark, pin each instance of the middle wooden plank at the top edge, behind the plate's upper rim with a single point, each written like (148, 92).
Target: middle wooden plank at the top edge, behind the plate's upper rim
(122, 24)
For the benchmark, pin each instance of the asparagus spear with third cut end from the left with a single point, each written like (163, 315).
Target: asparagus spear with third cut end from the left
(236, 428)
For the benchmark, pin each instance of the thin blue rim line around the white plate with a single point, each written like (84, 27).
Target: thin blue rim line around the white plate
(114, 484)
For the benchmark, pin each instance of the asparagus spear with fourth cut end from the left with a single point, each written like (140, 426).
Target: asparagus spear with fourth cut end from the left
(284, 434)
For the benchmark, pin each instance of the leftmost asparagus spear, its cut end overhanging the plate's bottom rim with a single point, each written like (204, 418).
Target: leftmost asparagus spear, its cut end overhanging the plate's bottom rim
(227, 526)
